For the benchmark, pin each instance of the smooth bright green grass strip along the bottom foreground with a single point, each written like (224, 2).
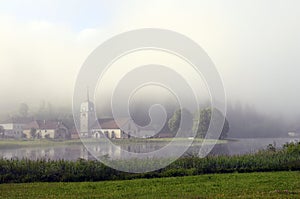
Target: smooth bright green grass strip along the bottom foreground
(243, 185)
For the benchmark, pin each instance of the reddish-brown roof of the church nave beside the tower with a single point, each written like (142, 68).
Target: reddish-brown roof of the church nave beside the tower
(109, 123)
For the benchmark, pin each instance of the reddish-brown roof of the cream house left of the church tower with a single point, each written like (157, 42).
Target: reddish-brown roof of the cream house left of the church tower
(44, 124)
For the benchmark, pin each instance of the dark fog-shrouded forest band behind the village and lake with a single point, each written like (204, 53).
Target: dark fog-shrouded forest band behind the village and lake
(245, 121)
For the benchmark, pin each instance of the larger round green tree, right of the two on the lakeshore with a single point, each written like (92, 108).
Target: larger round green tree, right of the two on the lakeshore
(203, 120)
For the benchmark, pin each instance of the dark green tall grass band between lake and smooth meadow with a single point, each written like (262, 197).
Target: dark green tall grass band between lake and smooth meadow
(25, 170)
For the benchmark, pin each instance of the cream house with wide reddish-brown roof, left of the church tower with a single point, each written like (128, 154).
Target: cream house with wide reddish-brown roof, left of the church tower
(46, 129)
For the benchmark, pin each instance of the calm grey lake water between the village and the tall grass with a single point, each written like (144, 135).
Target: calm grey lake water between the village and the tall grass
(73, 152)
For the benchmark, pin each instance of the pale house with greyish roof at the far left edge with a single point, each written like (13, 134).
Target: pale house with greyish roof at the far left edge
(13, 127)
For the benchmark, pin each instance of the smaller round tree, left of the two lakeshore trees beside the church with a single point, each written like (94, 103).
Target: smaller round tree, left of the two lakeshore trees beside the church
(175, 121)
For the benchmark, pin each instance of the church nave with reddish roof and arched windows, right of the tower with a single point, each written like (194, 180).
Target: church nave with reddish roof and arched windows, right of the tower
(110, 128)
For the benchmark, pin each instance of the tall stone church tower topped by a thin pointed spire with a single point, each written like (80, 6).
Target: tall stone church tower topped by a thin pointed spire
(87, 117)
